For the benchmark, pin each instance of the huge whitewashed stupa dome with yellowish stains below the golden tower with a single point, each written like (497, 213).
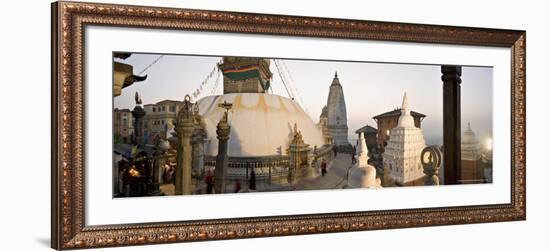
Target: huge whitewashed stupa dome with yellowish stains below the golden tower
(261, 124)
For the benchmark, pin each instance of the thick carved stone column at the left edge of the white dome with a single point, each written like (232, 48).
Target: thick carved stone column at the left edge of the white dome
(184, 130)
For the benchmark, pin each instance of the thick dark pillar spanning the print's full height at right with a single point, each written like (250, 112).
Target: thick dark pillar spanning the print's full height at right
(451, 122)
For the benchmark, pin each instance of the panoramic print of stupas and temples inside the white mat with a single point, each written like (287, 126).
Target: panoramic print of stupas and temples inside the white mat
(191, 124)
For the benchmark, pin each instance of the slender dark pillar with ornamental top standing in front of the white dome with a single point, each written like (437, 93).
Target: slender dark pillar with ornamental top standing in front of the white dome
(223, 130)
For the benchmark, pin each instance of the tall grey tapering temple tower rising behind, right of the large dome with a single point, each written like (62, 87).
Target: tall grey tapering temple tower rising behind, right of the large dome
(337, 121)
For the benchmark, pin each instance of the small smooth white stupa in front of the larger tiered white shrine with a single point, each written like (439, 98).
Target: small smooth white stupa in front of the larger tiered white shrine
(362, 174)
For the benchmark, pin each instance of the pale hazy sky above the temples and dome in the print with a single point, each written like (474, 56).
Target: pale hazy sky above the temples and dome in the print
(369, 88)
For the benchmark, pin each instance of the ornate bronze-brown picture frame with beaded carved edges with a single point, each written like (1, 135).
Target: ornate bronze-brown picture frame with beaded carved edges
(69, 229)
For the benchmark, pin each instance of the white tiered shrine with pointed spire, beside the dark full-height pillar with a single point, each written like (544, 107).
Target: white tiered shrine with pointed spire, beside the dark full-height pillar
(402, 155)
